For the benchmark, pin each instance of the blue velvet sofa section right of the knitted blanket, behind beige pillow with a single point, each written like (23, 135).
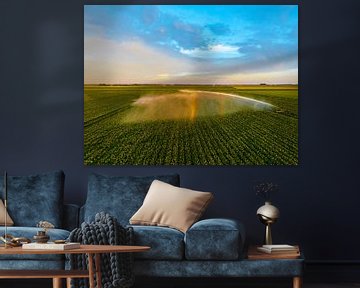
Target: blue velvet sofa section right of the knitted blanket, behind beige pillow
(210, 248)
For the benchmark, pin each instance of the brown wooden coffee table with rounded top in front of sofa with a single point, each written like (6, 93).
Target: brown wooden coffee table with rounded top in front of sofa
(92, 251)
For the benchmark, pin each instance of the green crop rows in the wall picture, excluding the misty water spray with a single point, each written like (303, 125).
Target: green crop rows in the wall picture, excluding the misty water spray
(242, 138)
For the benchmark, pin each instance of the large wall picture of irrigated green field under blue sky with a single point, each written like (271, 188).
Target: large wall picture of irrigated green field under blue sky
(191, 85)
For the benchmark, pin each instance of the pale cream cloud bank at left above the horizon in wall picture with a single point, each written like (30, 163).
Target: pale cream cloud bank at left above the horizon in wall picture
(128, 62)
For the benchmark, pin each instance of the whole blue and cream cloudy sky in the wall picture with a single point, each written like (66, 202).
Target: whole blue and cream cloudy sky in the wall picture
(190, 44)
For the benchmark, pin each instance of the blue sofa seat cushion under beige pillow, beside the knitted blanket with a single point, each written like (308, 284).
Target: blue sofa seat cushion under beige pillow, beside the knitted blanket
(166, 243)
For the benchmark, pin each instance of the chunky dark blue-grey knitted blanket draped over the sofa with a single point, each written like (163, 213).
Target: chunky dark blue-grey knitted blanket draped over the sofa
(116, 268)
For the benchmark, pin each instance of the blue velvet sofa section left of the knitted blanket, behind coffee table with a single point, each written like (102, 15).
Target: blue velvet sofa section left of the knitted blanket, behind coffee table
(32, 199)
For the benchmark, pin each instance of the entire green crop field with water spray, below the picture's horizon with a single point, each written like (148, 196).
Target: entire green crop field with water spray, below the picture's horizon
(175, 125)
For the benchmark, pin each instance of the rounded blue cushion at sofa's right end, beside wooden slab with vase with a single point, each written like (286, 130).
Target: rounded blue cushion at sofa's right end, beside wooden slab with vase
(214, 239)
